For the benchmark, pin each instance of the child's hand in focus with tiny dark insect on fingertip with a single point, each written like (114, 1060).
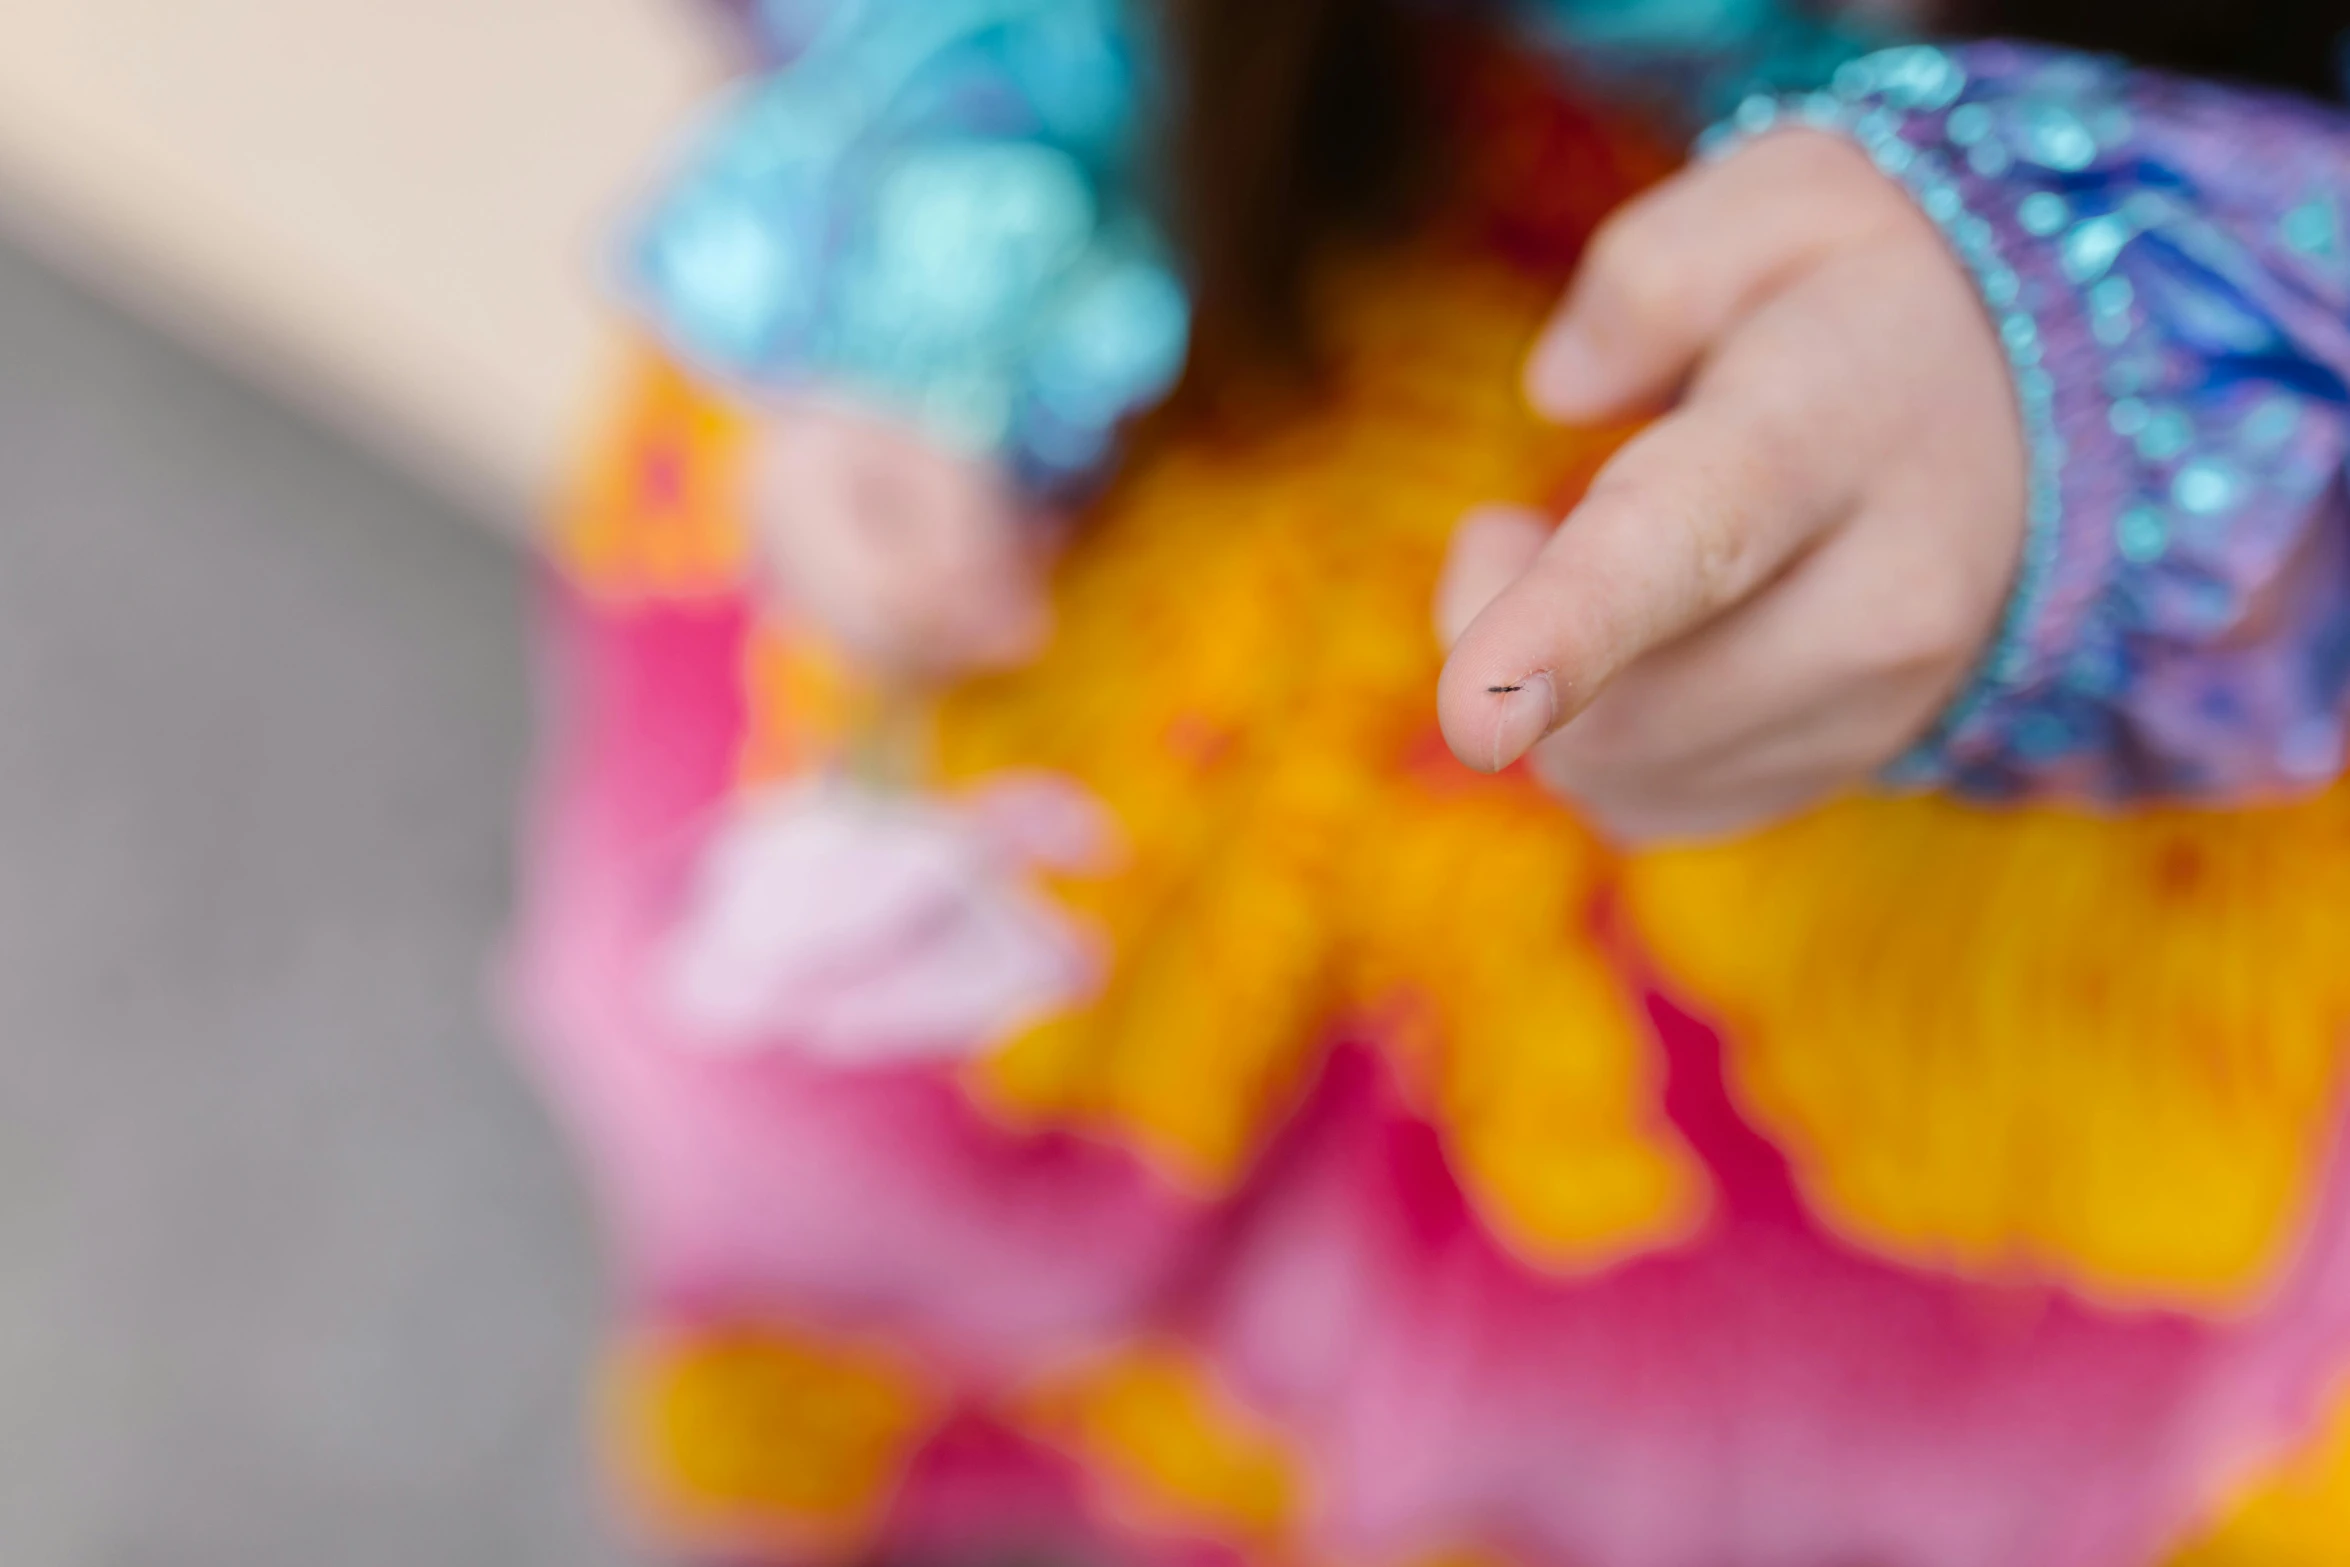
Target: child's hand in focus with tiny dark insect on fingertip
(1775, 589)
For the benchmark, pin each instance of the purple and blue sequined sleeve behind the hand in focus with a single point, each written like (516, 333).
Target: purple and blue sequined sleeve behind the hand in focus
(2168, 267)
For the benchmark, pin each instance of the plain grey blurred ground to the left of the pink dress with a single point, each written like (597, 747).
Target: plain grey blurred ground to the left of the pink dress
(290, 1267)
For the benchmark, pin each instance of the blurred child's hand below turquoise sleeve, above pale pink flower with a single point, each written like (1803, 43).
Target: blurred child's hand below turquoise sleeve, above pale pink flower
(915, 560)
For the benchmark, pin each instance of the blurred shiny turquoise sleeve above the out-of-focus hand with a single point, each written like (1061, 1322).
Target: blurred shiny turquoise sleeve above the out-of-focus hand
(932, 206)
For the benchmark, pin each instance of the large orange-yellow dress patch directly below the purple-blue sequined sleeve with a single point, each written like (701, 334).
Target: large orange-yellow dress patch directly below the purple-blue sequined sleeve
(2102, 1051)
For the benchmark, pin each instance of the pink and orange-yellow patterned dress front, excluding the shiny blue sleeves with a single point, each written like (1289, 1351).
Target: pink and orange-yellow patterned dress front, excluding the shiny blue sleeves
(1195, 1122)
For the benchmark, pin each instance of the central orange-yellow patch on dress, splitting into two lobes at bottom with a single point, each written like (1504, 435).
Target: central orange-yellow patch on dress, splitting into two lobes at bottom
(1230, 680)
